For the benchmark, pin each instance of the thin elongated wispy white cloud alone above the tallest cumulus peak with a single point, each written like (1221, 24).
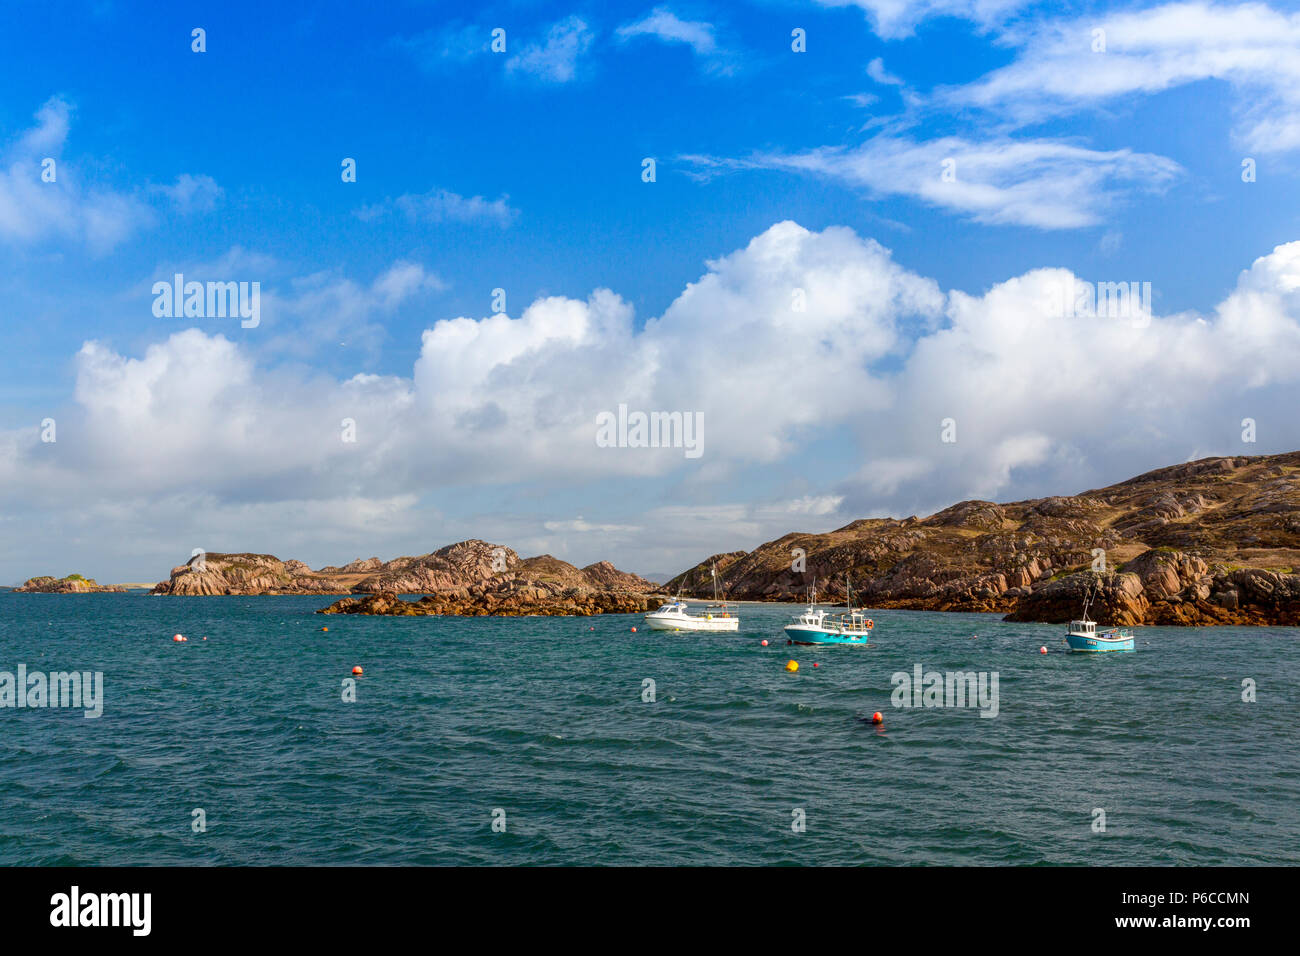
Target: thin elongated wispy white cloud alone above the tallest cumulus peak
(1035, 183)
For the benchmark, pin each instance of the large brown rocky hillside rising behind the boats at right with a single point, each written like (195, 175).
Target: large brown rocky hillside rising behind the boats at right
(1214, 542)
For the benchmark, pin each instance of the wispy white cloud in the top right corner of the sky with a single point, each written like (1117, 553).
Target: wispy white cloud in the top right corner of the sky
(1251, 47)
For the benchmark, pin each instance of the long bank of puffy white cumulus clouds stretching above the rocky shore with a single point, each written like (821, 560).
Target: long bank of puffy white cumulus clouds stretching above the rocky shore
(779, 345)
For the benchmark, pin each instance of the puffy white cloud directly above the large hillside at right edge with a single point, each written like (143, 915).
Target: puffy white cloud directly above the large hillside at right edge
(1085, 401)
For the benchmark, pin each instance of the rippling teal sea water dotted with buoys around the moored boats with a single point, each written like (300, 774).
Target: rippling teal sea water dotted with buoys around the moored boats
(544, 720)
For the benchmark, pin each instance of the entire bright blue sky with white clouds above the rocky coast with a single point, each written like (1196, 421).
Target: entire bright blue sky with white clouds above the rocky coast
(856, 244)
